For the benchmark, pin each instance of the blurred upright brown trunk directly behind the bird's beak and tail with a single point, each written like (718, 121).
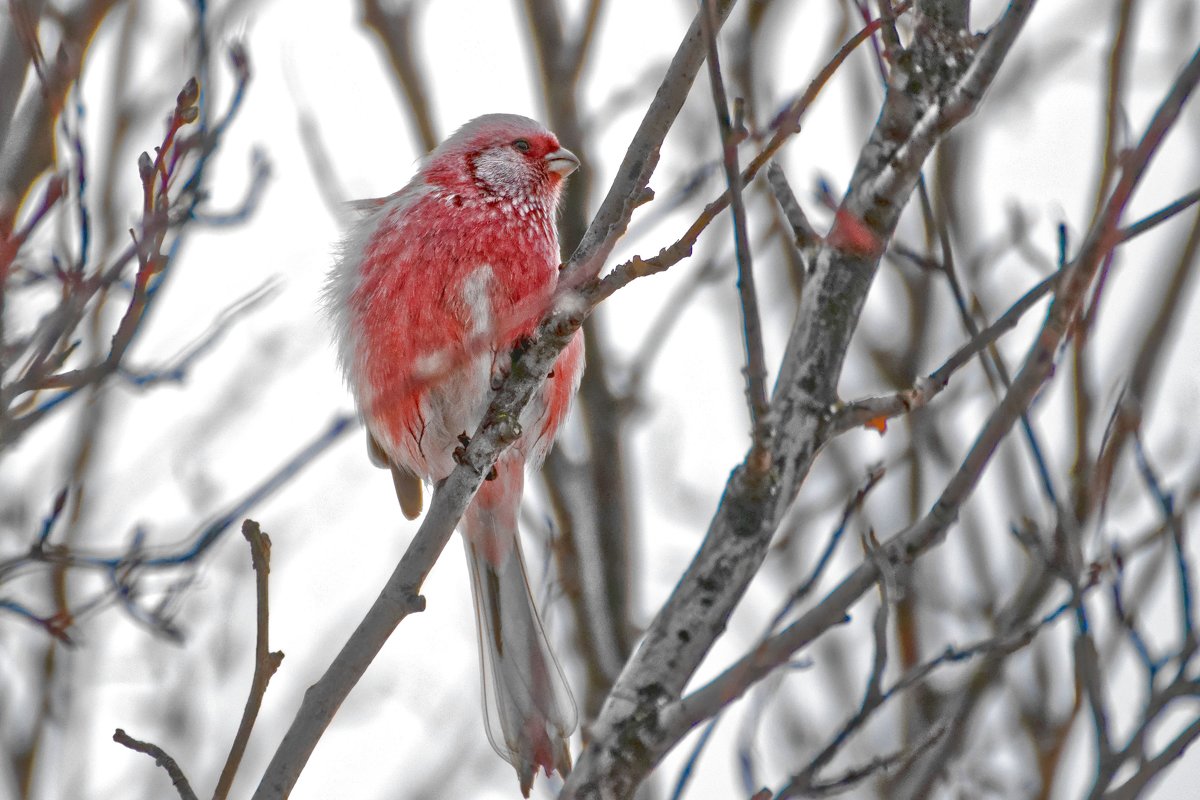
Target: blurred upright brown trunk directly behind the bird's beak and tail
(595, 542)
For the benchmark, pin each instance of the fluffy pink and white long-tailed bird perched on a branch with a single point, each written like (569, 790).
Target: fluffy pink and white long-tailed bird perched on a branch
(434, 288)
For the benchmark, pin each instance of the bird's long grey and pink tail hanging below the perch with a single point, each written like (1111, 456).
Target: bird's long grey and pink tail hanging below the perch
(527, 703)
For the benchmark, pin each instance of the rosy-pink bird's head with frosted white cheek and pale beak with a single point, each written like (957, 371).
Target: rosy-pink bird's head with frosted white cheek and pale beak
(502, 155)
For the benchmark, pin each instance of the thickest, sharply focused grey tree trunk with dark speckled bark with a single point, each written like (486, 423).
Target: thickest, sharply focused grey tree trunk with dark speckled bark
(628, 738)
